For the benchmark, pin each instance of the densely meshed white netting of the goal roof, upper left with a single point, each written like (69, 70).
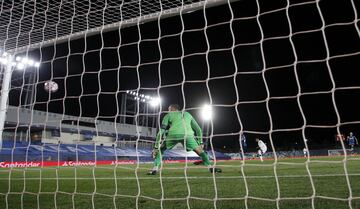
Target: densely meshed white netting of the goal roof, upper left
(35, 23)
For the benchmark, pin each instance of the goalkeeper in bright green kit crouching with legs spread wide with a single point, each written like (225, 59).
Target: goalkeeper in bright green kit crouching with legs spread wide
(180, 128)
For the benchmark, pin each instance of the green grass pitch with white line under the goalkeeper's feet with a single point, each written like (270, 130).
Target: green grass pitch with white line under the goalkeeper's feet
(128, 186)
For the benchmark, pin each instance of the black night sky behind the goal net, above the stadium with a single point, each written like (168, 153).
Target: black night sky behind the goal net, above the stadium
(95, 71)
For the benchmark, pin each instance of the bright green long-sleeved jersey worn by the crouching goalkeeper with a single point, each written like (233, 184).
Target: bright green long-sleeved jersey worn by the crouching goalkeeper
(179, 124)
